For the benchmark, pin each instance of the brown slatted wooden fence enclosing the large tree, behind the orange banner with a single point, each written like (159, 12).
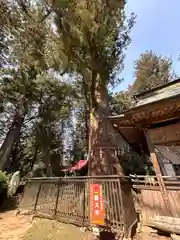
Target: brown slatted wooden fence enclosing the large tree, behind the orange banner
(68, 200)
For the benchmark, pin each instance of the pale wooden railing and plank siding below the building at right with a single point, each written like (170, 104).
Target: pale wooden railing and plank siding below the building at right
(151, 203)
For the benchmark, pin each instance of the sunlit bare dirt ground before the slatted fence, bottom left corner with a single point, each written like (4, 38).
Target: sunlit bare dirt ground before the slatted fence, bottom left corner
(20, 227)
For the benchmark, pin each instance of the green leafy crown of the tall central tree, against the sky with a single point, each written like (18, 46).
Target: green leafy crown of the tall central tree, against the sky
(89, 41)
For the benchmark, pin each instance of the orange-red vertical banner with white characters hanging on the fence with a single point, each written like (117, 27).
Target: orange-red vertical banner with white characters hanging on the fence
(96, 204)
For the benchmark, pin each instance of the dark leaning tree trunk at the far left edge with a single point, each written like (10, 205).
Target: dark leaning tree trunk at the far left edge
(11, 137)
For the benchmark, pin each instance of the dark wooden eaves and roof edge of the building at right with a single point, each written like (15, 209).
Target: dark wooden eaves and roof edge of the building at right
(131, 123)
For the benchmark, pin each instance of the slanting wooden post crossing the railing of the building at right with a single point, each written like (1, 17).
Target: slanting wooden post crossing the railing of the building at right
(158, 171)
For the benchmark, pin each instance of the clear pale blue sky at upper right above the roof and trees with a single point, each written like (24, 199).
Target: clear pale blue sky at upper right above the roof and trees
(157, 29)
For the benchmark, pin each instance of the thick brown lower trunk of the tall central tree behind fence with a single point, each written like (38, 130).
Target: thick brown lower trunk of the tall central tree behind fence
(104, 142)
